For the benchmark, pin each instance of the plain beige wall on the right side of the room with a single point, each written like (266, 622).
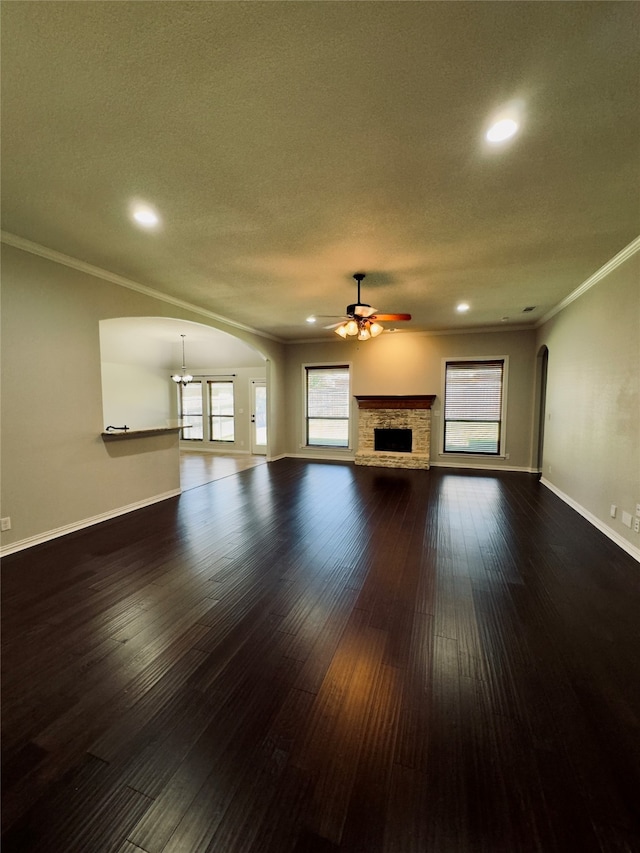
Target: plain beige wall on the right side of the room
(592, 427)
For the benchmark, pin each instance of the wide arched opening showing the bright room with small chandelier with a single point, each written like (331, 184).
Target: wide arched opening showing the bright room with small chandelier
(139, 356)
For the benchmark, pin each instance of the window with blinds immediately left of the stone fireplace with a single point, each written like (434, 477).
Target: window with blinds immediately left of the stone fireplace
(328, 403)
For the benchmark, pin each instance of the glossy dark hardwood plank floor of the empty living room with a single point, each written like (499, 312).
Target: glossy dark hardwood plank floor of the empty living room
(308, 657)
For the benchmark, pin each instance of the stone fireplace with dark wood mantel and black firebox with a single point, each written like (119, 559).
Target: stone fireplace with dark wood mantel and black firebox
(394, 432)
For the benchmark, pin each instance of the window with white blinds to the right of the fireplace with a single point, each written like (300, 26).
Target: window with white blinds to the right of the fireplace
(473, 398)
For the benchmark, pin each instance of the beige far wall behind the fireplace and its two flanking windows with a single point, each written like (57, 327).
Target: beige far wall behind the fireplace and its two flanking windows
(407, 363)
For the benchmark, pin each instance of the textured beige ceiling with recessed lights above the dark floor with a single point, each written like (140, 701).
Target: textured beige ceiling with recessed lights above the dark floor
(288, 145)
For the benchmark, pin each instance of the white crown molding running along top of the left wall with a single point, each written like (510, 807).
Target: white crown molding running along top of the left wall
(113, 278)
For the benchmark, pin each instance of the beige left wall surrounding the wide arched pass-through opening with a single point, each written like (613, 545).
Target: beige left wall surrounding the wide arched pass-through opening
(56, 469)
